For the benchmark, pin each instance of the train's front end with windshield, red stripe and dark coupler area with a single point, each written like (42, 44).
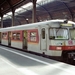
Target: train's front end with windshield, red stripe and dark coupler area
(62, 40)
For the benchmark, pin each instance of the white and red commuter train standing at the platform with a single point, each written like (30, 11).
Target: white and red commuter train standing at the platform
(54, 38)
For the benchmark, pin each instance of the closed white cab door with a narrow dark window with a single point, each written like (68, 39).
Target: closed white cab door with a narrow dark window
(43, 39)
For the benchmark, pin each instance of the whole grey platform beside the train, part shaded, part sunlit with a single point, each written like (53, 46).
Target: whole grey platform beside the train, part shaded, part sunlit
(14, 62)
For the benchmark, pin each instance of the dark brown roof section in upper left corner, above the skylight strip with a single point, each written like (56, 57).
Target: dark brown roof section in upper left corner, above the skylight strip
(8, 5)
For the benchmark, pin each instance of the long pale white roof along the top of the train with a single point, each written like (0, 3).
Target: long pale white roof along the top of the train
(26, 26)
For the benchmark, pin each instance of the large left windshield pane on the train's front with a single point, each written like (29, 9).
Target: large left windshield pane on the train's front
(58, 33)
